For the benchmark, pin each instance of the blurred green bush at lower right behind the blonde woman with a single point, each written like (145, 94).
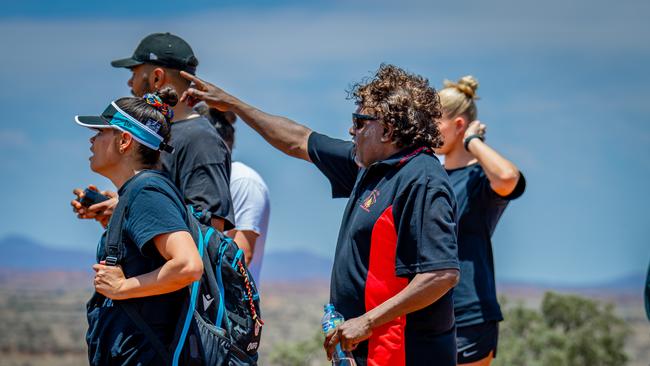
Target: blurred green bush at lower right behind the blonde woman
(568, 330)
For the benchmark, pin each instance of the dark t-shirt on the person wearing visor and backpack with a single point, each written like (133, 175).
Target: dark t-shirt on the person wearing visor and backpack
(112, 337)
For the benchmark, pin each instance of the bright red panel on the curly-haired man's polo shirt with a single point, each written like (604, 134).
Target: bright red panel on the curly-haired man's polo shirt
(386, 346)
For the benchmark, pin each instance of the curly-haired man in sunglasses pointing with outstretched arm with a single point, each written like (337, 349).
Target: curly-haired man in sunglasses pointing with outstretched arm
(396, 258)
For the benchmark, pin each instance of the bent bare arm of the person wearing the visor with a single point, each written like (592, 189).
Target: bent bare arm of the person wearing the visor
(183, 266)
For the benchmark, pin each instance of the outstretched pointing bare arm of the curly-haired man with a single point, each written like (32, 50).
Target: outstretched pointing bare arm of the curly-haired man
(282, 133)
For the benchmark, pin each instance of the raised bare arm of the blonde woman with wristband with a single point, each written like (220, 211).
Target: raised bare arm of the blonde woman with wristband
(502, 174)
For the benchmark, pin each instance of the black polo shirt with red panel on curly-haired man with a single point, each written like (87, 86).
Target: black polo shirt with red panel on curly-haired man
(400, 221)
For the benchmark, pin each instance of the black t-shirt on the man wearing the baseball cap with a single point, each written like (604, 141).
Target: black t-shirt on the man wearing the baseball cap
(200, 168)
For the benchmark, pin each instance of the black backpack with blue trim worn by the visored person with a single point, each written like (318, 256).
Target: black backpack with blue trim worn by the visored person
(221, 322)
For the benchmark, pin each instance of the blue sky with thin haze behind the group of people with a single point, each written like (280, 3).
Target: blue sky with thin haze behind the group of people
(564, 89)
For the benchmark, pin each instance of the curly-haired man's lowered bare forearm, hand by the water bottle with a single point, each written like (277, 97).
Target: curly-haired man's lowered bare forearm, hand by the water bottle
(423, 290)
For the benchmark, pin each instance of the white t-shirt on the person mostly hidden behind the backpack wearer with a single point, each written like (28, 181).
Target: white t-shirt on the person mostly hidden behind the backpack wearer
(250, 199)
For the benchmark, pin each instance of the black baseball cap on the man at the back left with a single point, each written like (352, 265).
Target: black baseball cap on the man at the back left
(164, 49)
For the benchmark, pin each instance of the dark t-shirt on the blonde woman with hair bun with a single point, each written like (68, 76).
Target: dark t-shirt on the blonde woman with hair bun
(479, 210)
